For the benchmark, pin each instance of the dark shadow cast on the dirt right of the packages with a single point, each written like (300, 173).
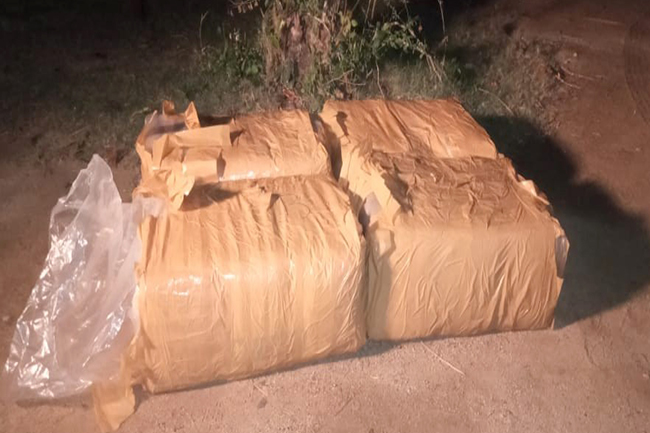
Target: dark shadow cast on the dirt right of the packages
(610, 247)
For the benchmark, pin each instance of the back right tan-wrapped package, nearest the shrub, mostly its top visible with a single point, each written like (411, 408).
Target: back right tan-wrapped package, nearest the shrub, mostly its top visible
(353, 130)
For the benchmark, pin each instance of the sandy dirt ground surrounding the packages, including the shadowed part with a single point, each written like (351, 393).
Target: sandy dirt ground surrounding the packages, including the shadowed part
(590, 374)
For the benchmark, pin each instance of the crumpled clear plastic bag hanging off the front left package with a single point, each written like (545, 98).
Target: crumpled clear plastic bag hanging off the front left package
(79, 317)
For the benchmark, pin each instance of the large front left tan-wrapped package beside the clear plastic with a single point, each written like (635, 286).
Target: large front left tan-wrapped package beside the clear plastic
(250, 277)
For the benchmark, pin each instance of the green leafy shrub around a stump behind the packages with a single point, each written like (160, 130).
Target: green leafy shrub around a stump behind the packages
(315, 49)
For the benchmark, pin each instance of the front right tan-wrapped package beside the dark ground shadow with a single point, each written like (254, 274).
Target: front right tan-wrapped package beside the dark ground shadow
(460, 247)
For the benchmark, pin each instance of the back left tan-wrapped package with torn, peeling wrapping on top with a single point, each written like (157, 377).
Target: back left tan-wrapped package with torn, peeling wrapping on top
(269, 144)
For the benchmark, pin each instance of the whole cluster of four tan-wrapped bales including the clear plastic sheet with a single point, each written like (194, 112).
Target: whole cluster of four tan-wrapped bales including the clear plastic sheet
(248, 253)
